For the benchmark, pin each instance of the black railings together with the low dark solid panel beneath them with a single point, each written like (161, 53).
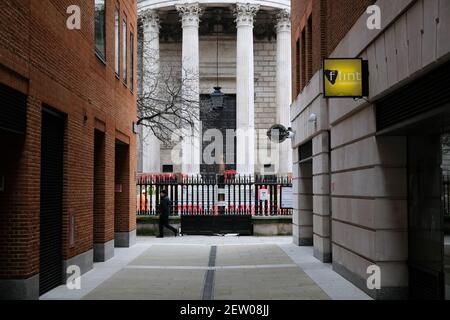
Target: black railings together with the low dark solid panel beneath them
(196, 200)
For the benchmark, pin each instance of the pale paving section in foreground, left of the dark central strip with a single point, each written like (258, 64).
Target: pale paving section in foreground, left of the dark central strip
(142, 284)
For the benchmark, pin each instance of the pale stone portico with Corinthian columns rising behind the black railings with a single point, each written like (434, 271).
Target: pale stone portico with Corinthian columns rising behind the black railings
(258, 86)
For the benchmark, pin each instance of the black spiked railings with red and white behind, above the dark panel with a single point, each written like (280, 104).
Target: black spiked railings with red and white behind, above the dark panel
(198, 195)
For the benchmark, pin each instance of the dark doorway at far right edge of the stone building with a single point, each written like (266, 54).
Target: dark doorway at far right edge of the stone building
(425, 221)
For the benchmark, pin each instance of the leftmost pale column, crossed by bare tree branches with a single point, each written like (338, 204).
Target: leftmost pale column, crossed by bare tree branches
(150, 145)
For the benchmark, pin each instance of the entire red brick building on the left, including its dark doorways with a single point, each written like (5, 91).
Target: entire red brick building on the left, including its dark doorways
(68, 171)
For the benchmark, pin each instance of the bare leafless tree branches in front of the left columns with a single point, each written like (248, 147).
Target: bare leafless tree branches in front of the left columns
(168, 98)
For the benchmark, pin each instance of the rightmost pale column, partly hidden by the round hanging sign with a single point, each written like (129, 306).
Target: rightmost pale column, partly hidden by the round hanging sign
(284, 89)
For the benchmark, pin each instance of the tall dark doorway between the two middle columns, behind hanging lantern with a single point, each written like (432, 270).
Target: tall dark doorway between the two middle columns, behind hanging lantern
(222, 119)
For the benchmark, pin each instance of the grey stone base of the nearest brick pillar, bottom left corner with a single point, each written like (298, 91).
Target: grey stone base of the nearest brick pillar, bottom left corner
(22, 289)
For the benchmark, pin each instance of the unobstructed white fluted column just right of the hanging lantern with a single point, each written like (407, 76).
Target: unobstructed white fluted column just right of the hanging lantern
(245, 88)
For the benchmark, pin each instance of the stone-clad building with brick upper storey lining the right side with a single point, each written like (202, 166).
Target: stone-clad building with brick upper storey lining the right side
(368, 173)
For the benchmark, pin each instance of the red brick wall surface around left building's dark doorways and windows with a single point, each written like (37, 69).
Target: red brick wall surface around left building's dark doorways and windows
(58, 67)
